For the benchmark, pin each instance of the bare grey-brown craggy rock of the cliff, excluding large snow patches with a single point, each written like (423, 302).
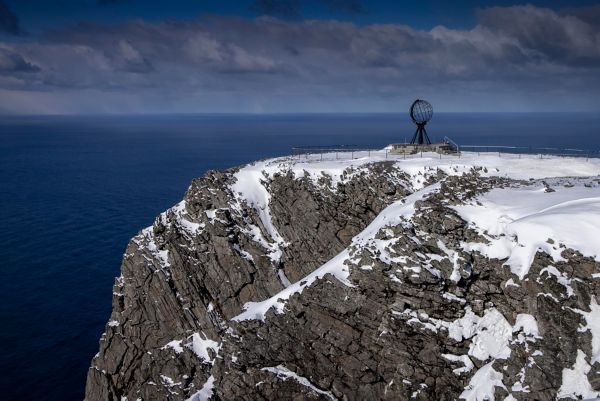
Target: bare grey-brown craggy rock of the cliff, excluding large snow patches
(185, 278)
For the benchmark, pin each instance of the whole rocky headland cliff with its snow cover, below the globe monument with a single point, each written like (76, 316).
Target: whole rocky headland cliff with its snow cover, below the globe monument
(366, 279)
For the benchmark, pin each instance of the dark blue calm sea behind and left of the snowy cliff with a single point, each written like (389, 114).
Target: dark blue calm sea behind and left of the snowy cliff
(73, 190)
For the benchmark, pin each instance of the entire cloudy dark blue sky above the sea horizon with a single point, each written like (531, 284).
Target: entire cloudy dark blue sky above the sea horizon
(273, 56)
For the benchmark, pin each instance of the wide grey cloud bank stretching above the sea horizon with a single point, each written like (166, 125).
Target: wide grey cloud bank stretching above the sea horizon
(515, 57)
